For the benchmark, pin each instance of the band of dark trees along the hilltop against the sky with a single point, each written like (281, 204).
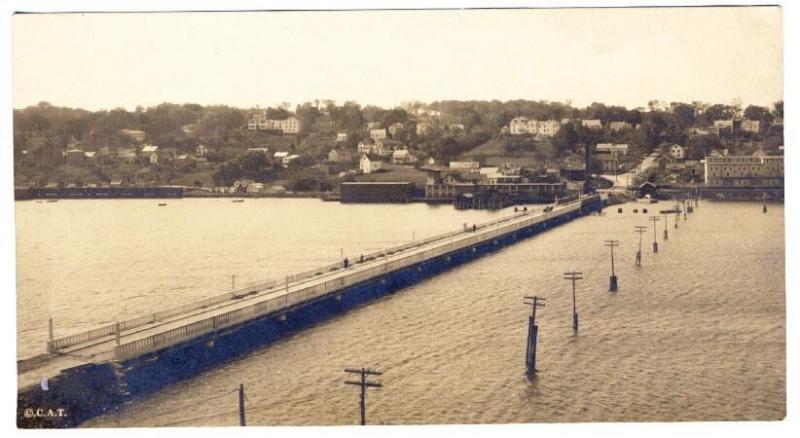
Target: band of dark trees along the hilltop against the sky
(44, 131)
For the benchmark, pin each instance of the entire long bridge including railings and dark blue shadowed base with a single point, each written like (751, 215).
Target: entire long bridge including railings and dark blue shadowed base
(142, 354)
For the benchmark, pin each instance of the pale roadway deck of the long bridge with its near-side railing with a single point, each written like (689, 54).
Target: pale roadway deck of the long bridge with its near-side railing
(103, 348)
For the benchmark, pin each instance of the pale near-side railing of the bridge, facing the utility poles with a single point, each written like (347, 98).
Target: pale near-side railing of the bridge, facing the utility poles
(356, 275)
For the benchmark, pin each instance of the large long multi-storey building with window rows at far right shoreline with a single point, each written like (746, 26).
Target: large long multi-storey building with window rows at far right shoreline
(744, 171)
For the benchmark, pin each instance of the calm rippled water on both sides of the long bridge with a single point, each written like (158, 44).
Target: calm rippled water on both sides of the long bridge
(697, 333)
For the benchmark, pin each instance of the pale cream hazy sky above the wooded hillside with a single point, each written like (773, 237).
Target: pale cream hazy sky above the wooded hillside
(615, 56)
